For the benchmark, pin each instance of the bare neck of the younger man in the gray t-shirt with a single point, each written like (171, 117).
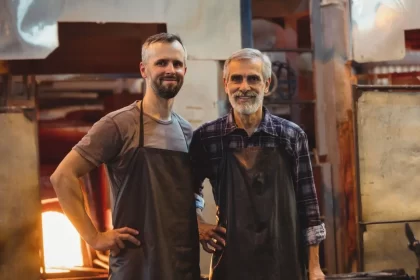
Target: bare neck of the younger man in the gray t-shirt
(157, 107)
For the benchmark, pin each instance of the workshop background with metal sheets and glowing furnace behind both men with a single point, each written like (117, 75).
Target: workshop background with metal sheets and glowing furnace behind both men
(347, 72)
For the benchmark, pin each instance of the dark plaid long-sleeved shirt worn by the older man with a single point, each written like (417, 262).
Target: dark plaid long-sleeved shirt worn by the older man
(207, 148)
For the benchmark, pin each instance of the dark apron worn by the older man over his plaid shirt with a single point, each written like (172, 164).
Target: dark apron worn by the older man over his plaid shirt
(257, 205)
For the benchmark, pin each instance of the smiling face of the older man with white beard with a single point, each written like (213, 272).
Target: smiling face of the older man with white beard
(245, 85)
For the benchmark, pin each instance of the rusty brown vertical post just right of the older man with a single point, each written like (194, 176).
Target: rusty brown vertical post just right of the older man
(335, 136)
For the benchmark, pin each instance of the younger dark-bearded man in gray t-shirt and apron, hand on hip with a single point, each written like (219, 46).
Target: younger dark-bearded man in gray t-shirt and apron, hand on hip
(145, 149)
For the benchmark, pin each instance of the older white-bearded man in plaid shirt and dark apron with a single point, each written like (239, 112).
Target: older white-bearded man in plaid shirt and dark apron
(261, 174)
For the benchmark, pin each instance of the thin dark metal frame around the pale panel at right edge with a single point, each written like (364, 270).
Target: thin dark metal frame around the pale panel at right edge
(358, 91)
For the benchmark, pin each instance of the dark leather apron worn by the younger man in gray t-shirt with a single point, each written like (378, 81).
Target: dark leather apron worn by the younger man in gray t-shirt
(161, 206)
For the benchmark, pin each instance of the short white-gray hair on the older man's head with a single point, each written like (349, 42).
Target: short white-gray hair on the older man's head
(249, 54)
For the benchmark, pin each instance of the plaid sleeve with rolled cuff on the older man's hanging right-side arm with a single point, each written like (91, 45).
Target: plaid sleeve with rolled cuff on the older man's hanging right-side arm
(313, 229)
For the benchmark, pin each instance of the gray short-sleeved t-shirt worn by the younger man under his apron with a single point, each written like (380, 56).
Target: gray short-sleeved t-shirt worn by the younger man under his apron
(114, 138)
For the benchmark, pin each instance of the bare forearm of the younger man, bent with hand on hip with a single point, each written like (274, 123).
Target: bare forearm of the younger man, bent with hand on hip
(71, 199)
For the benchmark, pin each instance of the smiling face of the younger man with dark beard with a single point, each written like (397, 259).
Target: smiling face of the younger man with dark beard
(164, 68)
